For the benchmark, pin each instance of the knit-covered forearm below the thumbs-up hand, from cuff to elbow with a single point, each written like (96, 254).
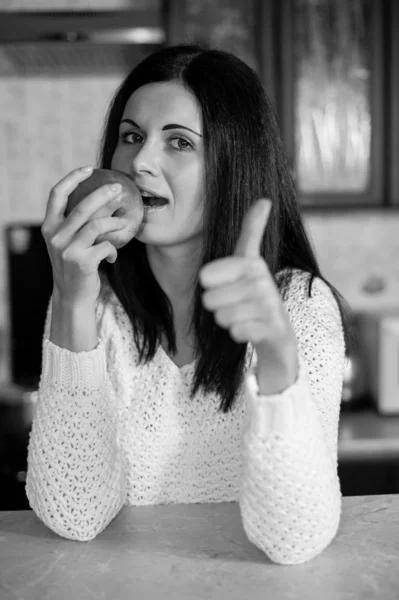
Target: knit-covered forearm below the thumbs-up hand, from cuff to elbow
(289, 494)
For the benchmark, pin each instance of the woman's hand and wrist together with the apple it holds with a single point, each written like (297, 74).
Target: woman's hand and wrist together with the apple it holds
(80, 231)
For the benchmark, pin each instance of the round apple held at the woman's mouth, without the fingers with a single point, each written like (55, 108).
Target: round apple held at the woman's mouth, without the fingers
(131, 208)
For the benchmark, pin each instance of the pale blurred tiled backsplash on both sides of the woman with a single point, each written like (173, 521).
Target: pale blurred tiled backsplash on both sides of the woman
(51, 125)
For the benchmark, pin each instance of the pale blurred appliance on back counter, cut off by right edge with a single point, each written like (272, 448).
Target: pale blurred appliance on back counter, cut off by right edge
(379, 338)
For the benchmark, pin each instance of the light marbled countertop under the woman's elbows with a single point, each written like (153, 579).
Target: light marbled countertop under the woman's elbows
(193, 552)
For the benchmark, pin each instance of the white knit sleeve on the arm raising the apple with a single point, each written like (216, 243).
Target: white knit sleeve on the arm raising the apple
(75, 481)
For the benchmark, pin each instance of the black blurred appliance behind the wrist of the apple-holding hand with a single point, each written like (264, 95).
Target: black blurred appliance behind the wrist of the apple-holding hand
(30, 284)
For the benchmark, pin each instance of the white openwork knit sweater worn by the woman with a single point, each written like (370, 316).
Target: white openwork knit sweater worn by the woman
(107, 432)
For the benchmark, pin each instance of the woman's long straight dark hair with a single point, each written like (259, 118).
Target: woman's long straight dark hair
(244, 160)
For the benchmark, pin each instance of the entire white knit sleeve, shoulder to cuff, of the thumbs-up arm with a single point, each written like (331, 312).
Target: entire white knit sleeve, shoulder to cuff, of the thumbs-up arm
(290, 496)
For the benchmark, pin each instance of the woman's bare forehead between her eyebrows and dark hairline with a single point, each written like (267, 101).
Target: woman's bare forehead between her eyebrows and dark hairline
(162, 103)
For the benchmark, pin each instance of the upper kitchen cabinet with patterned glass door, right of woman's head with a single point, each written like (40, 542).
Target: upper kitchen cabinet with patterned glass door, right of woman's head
(331, 70)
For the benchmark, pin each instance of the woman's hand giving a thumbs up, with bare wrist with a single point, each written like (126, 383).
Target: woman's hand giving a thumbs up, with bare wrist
(244, 298)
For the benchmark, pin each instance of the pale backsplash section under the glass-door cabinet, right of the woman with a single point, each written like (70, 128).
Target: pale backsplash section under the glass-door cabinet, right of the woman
(358, 253)
